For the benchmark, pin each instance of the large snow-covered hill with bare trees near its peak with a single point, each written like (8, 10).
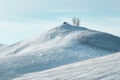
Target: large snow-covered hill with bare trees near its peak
(59, 46)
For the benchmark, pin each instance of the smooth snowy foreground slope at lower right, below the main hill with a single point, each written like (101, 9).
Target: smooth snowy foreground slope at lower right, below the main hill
(103, 68)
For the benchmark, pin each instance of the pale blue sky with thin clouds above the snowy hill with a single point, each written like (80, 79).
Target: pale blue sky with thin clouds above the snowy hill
(21, 19)
